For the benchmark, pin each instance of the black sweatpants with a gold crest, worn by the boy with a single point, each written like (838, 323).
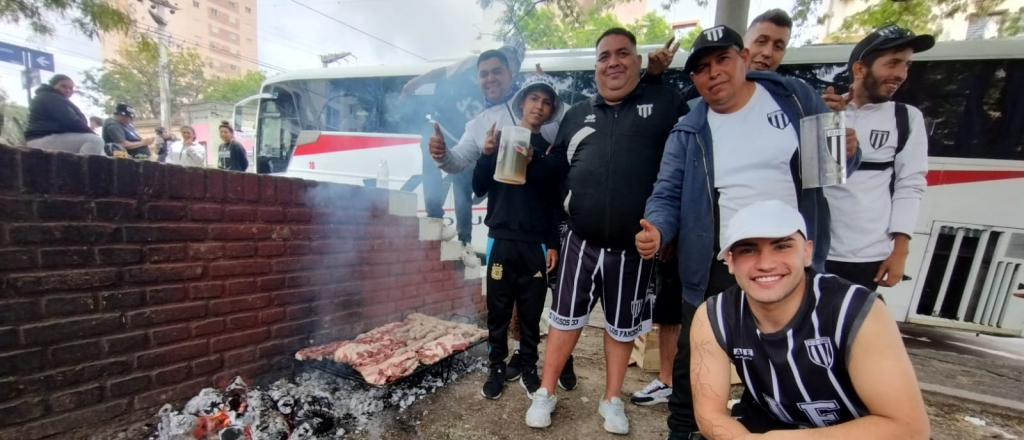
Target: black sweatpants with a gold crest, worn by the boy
(516, 277)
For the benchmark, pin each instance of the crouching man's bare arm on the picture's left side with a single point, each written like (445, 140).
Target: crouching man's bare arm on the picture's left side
(710, 383)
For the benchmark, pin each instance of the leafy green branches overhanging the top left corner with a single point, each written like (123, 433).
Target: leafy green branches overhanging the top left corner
(89, 17)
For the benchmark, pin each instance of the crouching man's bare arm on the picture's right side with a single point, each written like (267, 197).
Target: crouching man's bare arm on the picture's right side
(883, 376)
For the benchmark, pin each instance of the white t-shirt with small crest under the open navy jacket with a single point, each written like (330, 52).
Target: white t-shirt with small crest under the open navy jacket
(752, 150)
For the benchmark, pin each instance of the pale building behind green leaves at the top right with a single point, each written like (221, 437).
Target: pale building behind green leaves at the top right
(967, 26)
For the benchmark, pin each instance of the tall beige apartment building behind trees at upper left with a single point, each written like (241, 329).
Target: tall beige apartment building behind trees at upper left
(223, 31)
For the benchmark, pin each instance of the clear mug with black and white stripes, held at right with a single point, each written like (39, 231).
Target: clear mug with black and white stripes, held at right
(823, 150)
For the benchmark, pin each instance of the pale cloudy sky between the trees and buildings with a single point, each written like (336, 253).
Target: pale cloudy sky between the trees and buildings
(291, 36)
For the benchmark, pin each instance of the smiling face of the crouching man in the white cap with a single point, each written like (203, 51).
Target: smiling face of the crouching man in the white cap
(770, 271)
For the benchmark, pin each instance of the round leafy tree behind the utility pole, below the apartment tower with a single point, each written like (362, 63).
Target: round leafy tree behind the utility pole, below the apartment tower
(133, 78)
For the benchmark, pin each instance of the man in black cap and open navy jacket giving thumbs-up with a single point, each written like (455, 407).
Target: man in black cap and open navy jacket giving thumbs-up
(739, 145)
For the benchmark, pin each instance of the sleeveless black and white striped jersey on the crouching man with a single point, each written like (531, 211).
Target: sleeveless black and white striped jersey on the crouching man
(799, 374)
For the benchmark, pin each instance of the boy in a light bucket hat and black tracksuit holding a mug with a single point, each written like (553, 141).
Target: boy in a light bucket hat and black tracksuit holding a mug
(524, 245)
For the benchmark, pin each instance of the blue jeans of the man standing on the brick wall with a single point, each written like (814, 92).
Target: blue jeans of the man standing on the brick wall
(436, 190)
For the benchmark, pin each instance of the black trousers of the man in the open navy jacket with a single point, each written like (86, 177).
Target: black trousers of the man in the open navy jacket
(681, 403)
